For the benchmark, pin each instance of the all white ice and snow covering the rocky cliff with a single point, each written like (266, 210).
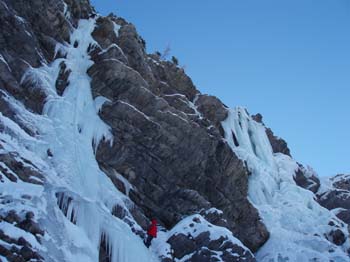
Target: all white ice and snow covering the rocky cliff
(71, 129)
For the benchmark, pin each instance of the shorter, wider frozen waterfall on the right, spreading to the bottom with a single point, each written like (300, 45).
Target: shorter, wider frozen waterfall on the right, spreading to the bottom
(296, 222)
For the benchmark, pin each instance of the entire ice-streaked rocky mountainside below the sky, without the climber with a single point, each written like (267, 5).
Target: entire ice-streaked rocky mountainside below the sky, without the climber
(97, 137)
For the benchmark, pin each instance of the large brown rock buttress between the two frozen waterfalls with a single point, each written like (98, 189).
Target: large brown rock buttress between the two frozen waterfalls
(168, 148)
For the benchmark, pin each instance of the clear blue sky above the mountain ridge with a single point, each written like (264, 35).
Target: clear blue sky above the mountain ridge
(288, 60)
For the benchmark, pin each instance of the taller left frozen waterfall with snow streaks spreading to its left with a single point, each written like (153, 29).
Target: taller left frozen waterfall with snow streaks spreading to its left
(71, 129)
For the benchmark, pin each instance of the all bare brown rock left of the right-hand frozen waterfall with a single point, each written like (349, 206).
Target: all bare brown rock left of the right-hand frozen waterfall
(168, 148)
